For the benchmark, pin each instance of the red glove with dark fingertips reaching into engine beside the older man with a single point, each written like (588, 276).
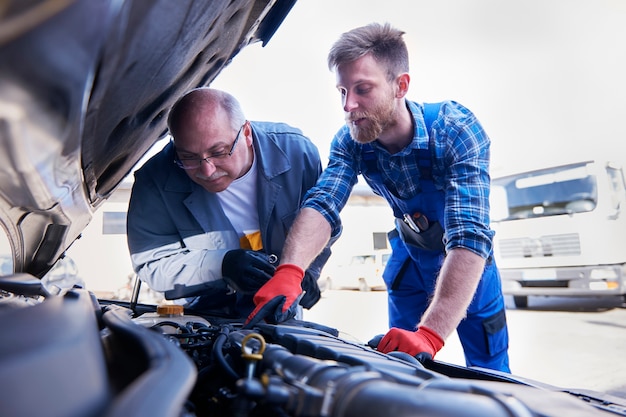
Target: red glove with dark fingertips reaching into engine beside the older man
(278, 299)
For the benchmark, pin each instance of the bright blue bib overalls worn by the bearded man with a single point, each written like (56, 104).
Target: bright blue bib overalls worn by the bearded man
(411, 273)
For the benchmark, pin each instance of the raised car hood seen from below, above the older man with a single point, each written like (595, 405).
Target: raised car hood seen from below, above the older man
(85, 87)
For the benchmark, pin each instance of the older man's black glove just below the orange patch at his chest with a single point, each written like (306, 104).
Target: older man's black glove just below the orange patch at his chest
(246, 270)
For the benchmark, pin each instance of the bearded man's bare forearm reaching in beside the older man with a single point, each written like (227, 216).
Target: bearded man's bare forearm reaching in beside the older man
(307, 237)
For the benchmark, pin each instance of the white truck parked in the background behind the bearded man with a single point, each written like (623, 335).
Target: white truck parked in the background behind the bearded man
(561, 231)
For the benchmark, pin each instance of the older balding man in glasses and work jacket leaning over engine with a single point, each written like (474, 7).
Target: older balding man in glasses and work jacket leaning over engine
(211, 210)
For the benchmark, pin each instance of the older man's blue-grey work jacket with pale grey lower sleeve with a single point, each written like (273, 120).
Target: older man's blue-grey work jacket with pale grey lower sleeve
(177, 231)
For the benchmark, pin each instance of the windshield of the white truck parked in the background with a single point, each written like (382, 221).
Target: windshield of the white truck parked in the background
(560, 190)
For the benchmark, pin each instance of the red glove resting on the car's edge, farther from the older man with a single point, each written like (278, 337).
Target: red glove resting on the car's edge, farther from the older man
(424, 340)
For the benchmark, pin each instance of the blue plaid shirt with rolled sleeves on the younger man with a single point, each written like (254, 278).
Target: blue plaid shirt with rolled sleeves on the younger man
(460, 168)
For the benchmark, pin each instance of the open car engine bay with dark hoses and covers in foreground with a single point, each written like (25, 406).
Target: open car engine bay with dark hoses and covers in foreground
(75, 355)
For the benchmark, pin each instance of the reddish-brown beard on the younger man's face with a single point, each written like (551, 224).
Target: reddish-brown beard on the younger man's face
(376, 121)
